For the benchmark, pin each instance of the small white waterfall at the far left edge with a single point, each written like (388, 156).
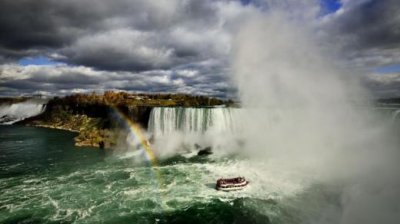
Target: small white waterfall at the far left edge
(11, 113)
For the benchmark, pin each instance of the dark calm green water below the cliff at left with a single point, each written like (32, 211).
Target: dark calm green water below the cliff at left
(29, 150)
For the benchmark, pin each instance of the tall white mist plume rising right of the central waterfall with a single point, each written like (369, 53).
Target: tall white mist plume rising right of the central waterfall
(302, 117)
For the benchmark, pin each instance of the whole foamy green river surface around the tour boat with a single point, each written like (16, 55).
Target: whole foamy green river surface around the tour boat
(45, 179)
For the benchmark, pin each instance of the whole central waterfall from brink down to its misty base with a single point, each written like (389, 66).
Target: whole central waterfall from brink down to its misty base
(177, 128)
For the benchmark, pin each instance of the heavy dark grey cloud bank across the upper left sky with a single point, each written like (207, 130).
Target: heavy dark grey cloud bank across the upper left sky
(113, 35)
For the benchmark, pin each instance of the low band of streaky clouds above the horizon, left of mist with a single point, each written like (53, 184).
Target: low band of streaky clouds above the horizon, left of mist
(63, 79)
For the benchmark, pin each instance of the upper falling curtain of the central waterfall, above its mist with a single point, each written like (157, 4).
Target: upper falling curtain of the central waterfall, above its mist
(166, 120)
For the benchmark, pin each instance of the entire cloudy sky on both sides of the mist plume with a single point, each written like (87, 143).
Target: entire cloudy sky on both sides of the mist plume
(59, 47)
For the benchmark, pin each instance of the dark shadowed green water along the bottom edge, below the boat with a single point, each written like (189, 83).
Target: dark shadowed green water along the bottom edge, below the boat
(238, 211)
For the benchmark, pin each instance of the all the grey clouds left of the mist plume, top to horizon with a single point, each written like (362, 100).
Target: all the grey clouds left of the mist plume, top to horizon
(138, 45)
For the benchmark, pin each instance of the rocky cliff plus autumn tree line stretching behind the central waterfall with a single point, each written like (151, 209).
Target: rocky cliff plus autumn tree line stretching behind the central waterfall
(94, 116)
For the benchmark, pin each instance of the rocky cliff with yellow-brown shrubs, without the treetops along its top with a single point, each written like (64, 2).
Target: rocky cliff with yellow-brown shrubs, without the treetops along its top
(94, 122)
